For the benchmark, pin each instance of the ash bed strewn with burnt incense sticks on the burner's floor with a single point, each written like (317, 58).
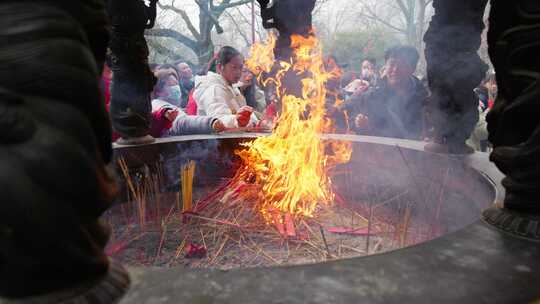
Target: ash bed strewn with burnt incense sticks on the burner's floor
(225, 228)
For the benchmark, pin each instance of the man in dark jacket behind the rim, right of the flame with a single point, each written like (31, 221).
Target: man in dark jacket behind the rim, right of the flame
(395, 107)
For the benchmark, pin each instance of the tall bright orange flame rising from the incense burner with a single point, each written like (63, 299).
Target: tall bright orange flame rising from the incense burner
(291, 165)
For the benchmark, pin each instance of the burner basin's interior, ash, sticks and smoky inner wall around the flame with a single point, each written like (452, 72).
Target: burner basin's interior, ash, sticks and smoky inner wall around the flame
(387, 205)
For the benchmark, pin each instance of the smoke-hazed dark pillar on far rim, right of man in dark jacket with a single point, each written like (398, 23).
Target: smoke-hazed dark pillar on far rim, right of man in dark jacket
(454, 70)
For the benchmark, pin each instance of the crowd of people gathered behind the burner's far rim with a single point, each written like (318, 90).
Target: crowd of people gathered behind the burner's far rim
(389, 102)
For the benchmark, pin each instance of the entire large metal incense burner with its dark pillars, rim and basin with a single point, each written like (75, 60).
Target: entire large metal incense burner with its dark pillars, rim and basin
(405, 225)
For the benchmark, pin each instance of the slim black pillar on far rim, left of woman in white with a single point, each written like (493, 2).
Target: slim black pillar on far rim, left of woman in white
(133, 81)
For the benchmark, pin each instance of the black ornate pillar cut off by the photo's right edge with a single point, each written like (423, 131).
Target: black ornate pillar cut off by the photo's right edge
(513, 123)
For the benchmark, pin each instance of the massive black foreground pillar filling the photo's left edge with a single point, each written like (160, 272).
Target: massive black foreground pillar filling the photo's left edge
(55, 139)
